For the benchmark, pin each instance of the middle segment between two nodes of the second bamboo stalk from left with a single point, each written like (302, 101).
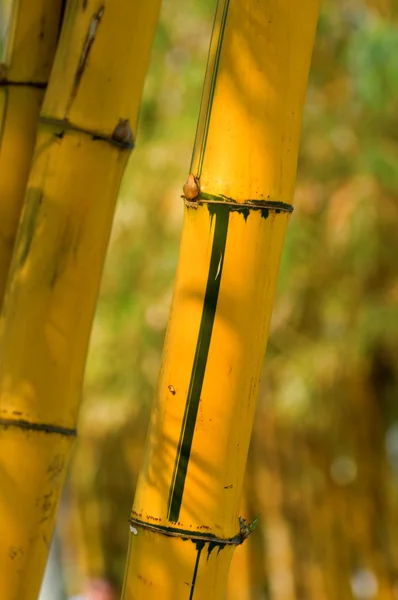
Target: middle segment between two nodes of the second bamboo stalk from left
(55, 276)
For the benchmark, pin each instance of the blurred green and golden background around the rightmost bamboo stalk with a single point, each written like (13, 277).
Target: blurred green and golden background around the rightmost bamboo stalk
(323, 465)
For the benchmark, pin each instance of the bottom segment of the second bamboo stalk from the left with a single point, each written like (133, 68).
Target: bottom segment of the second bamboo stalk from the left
(33, 469)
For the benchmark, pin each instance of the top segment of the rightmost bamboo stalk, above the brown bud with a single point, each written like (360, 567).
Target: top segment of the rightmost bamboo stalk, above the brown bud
(247, 146)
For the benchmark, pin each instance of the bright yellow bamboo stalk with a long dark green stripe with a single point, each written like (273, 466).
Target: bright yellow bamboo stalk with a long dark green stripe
(184, 522)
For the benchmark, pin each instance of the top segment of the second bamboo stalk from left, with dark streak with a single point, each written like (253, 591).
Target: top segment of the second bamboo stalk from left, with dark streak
(99, 63)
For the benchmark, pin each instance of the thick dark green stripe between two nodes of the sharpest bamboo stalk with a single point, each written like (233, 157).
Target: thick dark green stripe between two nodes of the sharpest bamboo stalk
(199, 365)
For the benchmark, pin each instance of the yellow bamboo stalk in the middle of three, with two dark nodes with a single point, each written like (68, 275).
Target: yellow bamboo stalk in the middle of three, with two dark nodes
(86, 132)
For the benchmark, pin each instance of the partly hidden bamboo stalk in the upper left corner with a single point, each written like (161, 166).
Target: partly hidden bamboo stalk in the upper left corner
(28, 36)
